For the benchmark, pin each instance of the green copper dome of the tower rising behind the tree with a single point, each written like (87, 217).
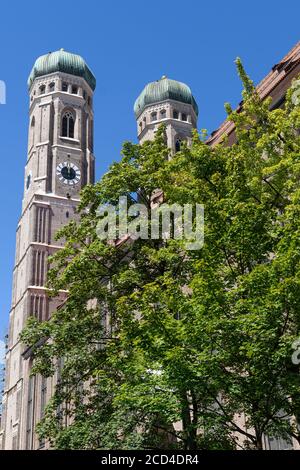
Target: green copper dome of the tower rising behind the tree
(161, 90)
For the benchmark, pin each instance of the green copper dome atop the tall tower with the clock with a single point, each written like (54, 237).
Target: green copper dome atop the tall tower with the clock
(62, 61)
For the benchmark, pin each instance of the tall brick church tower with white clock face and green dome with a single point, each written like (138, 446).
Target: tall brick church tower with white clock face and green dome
(60, 161)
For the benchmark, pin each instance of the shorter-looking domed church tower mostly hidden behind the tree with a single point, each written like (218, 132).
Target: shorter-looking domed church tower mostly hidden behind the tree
(170, 102)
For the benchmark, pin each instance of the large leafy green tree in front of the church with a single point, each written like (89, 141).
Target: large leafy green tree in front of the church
(168, 348)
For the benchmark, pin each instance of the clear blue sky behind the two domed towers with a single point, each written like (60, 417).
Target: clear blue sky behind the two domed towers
(127, 44)
